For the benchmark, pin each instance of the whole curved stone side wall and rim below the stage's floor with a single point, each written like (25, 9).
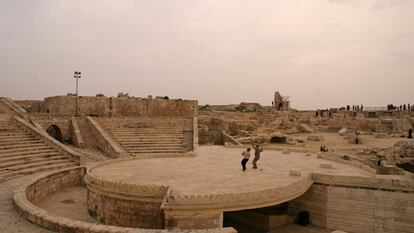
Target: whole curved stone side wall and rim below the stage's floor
(148, 206)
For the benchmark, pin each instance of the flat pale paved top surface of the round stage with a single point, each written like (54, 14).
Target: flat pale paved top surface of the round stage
(217, 170)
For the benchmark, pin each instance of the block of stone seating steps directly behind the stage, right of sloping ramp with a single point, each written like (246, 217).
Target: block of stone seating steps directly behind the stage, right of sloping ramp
(147, 136)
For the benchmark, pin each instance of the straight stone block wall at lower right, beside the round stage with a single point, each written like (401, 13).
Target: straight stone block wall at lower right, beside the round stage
(356, 209)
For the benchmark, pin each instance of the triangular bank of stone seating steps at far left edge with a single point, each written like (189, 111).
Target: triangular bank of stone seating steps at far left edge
(22, 154)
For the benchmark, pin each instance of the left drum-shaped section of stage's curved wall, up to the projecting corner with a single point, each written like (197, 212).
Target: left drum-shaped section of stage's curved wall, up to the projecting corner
(127, 205)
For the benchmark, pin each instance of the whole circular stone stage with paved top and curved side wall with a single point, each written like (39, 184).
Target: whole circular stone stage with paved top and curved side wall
(193, 192)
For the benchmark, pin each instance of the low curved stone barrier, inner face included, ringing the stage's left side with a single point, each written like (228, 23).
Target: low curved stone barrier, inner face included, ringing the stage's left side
(40, 187)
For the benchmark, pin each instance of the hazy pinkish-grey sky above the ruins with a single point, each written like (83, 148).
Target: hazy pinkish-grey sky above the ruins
(321, 53)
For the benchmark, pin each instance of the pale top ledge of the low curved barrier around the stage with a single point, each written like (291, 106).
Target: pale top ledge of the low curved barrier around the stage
(50, 221)
